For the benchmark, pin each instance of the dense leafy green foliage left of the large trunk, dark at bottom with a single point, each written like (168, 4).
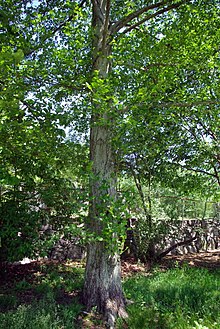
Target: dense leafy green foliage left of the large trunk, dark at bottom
(37, 186)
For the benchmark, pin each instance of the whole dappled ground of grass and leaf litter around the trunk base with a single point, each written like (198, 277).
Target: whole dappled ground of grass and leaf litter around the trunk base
(172, 294)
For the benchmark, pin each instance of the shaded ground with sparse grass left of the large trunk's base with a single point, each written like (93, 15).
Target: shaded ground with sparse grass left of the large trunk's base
(40, 295)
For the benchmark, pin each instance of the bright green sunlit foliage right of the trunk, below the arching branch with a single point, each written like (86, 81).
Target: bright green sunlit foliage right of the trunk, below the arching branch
(168, 103)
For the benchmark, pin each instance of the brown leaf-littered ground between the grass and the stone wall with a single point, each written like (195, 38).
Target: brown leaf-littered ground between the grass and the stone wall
(23, 284)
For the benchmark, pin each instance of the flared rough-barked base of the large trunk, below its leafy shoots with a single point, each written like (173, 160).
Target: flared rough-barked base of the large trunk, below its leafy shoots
(103, 289)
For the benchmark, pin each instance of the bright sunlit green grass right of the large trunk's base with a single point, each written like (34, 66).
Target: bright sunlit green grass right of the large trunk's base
(180, 298)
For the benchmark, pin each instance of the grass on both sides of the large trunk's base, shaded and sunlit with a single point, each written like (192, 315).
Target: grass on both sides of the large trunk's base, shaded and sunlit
(178, 298)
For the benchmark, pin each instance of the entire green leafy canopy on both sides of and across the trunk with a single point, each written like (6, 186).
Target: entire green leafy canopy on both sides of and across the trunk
(161, 101)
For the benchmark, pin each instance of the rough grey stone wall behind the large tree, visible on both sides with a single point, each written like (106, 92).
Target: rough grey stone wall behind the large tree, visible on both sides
(186, 236)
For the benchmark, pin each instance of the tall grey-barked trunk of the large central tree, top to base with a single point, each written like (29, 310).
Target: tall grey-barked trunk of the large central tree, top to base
(102, 287)
